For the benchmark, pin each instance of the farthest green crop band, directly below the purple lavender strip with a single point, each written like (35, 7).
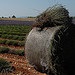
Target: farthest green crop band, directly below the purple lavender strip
(15, 28)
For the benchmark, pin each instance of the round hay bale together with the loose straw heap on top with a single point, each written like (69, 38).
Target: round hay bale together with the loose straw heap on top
(50, 45)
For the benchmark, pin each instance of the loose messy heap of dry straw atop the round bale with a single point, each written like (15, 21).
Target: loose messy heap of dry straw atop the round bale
(53, 16)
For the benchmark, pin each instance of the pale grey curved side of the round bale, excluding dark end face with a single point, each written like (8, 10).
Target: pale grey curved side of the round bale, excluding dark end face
(38, 45)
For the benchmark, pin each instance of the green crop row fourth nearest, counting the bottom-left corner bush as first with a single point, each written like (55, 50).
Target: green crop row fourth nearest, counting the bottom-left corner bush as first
(13, 37)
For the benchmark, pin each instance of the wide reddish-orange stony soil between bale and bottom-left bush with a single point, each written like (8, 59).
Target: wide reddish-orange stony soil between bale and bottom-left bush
(20, 64)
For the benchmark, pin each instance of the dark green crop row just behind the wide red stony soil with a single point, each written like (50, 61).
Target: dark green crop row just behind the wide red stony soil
(9, 51)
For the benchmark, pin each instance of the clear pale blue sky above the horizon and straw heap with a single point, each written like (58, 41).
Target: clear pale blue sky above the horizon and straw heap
(32, 7)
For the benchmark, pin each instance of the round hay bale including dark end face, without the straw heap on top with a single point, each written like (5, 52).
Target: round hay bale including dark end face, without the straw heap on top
(52, 50)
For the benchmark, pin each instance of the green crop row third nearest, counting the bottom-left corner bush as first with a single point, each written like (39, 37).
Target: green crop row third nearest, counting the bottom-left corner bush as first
(12, 42)
